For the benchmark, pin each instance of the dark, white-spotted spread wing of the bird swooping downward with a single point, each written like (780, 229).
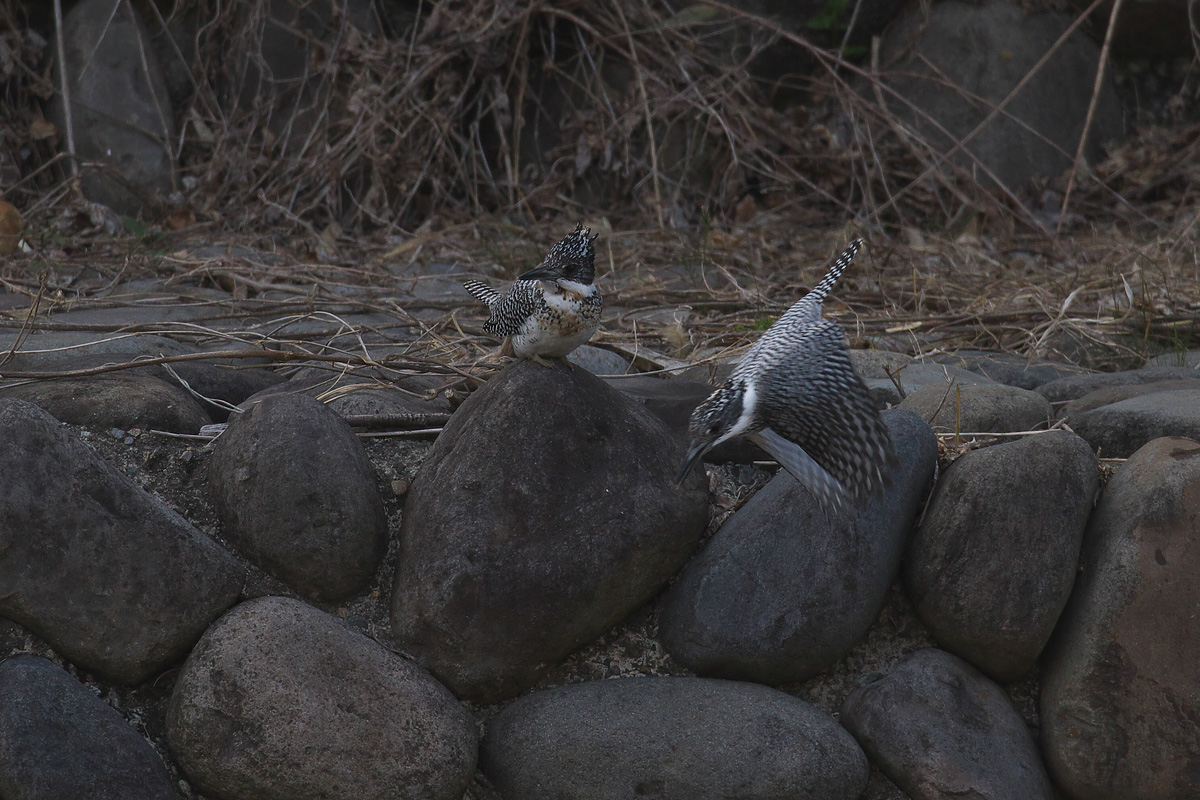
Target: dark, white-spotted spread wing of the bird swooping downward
(812, 396)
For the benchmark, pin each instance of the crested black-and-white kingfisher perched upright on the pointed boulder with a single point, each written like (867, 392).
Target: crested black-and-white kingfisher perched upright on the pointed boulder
(553, 309)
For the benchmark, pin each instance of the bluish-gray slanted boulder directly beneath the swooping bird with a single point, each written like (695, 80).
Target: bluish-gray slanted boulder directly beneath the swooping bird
(784, 590)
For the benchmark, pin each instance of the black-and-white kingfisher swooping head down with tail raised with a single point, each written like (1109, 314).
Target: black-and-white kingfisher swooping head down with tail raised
(796, 395)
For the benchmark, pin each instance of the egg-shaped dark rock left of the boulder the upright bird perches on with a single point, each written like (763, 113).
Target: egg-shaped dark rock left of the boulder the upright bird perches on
(298, 497)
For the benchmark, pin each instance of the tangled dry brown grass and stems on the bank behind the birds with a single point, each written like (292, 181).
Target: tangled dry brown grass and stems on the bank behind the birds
(430, 147)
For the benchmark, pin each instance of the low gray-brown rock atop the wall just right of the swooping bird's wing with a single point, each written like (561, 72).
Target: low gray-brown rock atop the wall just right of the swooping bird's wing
(983, 408)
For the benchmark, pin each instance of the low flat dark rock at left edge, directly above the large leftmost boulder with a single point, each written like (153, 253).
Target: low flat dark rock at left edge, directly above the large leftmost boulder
(115, 401)
